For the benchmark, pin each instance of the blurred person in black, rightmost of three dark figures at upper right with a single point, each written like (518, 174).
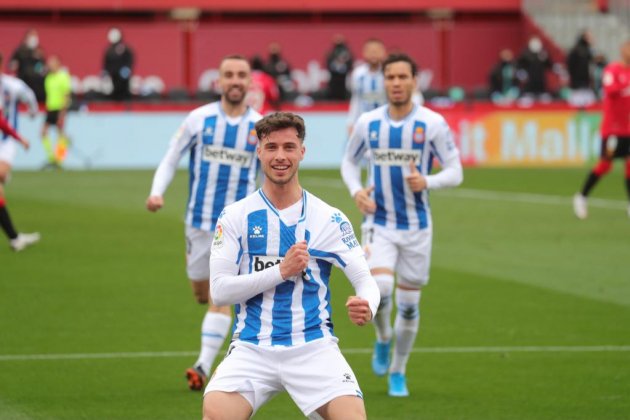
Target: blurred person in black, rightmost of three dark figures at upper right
(579, 67)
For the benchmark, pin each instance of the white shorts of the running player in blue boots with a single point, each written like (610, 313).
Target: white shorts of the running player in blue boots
(405, 252)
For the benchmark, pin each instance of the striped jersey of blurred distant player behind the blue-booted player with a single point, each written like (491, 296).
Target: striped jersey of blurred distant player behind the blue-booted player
(367, 89)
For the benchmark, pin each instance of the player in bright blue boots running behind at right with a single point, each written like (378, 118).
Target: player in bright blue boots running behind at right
(403, 139)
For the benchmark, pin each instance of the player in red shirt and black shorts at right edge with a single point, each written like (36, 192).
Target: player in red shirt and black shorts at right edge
(615, 129)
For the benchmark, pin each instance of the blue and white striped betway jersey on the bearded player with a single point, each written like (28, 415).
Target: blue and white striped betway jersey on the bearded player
(223, 164)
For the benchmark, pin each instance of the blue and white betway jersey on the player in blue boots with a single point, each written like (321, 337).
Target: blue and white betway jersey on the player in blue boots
(420, 137)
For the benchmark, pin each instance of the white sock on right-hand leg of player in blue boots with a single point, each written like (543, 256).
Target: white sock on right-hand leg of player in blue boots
(405, 327)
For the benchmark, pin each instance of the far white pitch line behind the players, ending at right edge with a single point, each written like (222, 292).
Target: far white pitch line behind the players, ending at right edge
(529, 198)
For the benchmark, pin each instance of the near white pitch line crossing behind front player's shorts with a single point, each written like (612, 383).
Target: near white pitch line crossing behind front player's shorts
(437, 350)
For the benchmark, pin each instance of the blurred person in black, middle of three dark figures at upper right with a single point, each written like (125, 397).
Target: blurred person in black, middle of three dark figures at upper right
(533, 63)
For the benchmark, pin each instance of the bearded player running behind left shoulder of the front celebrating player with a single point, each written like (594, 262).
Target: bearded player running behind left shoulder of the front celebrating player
(221, 140)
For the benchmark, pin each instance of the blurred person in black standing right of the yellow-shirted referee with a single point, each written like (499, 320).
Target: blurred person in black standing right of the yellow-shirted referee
(118, 65)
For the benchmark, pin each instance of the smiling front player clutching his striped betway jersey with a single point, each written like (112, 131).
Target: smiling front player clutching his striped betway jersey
(272, 256)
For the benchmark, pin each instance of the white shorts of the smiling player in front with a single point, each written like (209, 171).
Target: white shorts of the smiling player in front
(313, 373)
